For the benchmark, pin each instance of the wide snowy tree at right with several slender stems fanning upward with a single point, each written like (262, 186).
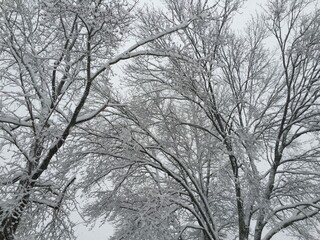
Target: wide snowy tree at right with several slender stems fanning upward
(221, 139)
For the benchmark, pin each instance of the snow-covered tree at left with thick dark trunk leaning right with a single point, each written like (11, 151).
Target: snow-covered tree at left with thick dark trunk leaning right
(55, 63)
